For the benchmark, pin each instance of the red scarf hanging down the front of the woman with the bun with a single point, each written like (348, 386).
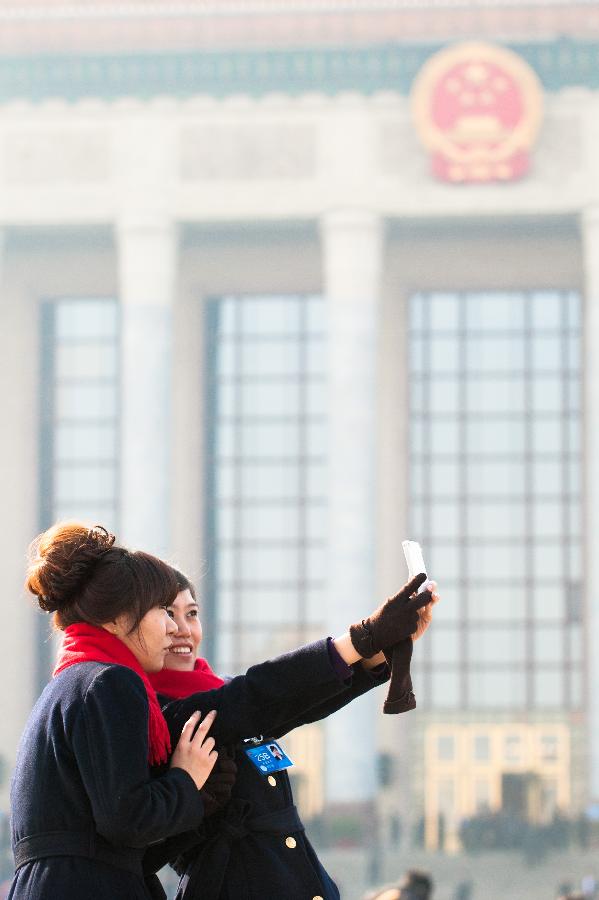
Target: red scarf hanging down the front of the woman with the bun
(89, 643)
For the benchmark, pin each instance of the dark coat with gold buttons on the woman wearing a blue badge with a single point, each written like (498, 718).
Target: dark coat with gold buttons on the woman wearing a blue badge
(256, 848)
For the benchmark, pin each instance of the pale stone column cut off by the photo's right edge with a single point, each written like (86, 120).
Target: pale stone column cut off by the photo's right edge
(590, 237)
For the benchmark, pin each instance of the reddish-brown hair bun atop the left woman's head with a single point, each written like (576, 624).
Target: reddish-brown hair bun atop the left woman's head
(62, 559)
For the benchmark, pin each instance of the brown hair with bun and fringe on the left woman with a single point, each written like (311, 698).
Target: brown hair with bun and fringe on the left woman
(80, 575)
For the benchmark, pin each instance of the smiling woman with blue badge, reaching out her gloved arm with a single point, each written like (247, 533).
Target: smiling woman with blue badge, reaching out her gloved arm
(256, 847)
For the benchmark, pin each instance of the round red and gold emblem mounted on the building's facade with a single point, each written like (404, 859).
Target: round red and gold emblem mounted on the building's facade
(477, 109)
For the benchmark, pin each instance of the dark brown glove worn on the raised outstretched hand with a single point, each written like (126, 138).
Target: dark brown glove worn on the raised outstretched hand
(392, 622)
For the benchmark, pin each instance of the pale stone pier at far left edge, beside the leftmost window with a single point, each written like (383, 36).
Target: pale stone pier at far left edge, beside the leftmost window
(19, 386)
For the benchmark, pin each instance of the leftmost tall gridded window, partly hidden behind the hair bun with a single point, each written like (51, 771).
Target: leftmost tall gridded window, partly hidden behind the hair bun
(79, 421)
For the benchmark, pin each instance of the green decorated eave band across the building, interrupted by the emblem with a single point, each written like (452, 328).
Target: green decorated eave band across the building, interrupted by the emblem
(562, 63)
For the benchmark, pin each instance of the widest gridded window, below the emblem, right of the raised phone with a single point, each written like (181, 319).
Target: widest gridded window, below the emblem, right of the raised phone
(495, 494)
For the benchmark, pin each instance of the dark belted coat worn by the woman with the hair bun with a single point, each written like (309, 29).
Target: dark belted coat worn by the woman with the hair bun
(83, 796)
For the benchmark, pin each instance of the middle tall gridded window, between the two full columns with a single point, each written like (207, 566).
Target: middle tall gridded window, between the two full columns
(265, 522)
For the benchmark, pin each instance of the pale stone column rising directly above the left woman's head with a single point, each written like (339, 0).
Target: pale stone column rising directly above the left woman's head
(147, 264)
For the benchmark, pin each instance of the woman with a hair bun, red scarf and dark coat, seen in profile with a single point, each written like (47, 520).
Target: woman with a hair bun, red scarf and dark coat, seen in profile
(85, 803)
